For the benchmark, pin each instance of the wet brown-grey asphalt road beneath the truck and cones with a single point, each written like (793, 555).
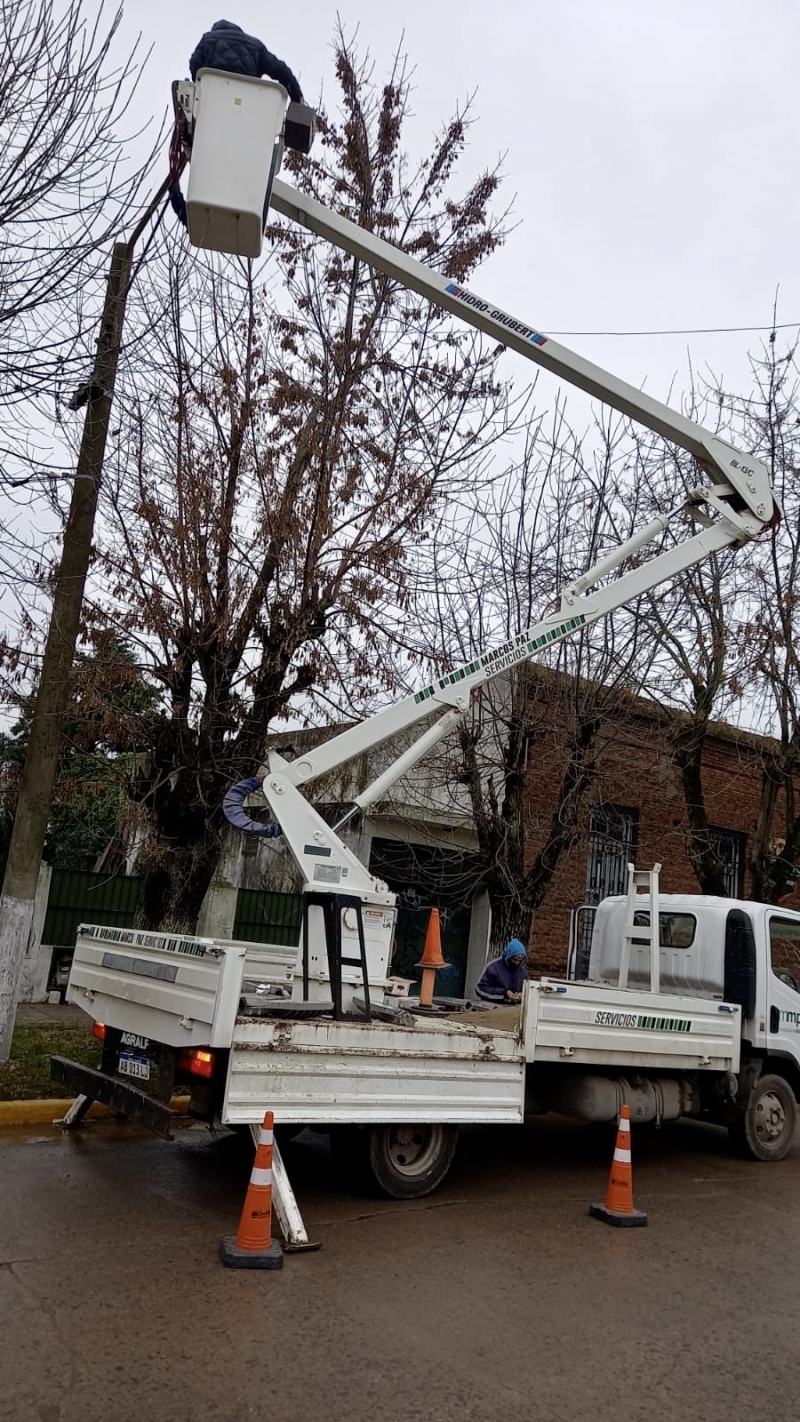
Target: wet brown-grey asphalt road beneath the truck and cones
(495, 1299)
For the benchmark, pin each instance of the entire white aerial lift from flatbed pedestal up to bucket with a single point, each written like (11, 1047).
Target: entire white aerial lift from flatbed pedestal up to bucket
(731, 504)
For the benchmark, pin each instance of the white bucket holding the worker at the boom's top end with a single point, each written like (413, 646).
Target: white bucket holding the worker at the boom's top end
(238, 139)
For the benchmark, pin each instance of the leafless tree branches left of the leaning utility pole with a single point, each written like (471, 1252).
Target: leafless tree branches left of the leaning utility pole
(67, 186)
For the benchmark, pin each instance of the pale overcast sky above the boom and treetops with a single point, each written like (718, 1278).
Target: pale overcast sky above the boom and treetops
(650, 150)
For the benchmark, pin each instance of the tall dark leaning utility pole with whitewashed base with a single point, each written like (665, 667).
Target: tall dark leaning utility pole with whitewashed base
(42, 760)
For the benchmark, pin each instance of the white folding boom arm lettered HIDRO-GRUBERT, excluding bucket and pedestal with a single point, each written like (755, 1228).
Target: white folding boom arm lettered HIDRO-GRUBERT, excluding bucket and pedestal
(738, 506)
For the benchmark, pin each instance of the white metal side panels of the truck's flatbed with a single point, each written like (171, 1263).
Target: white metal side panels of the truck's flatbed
(471, 1067)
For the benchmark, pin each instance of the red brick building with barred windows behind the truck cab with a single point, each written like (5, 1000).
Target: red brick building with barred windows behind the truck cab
(636, 811)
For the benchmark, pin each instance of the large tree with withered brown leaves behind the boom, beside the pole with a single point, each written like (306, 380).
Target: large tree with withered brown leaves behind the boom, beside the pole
(279, 467)
